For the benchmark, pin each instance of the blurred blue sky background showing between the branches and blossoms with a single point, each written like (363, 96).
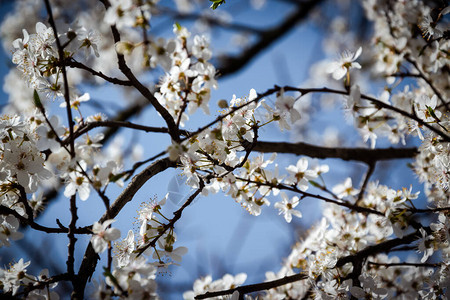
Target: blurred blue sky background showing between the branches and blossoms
(256, 44)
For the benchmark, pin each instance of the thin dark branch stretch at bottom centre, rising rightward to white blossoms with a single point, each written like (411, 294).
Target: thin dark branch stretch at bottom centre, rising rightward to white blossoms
(251, 288)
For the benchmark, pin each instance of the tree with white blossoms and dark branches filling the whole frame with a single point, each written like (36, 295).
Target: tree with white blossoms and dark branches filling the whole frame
(58, 47)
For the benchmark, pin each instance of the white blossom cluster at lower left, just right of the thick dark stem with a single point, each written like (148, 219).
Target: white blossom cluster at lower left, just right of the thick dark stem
(133, 275)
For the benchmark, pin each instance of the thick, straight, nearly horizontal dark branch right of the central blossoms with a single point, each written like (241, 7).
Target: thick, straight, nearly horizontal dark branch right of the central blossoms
(365, 155)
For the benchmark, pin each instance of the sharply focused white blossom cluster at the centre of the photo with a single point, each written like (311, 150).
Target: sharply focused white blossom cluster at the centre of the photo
(216, 156)
